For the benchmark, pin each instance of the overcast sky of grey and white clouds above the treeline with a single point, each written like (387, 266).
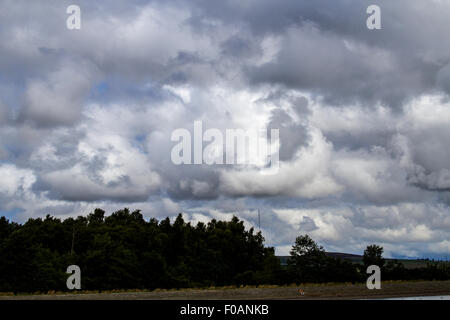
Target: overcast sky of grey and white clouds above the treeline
(87, 115)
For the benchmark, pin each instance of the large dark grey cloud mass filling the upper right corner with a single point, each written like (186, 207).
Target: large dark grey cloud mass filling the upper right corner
(329, 51)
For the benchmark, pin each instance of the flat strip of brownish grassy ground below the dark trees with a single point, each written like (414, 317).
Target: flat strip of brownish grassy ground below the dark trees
(311, 291)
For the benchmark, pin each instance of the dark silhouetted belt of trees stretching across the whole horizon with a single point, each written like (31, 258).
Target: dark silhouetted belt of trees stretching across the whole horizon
(124, 251)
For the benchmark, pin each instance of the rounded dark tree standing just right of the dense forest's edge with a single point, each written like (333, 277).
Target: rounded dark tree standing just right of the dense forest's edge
(307, 260)
